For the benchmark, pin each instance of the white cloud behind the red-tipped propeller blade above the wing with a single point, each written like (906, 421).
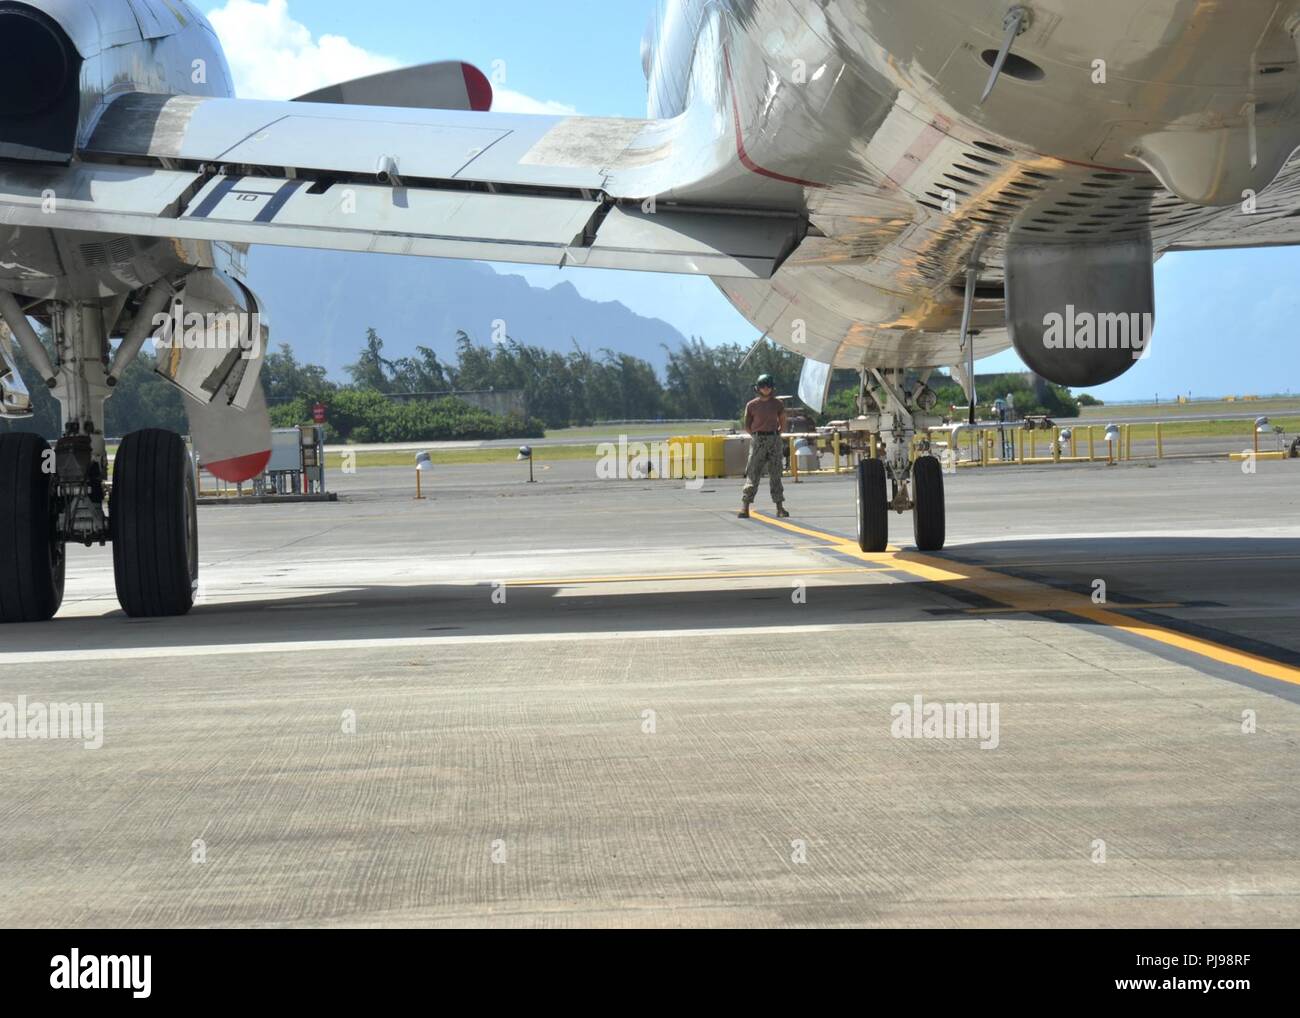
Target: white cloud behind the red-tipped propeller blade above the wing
(274, 57)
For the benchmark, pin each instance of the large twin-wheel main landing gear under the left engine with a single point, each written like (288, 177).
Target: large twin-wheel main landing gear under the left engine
(54, 497)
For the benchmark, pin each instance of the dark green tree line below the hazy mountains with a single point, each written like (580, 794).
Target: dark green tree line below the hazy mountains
(562, 389)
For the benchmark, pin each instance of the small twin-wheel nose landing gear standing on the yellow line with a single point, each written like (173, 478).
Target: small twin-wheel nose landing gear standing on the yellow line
(896, 474)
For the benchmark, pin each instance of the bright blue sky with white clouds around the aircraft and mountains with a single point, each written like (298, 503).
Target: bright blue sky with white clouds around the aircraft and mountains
(1227, 322)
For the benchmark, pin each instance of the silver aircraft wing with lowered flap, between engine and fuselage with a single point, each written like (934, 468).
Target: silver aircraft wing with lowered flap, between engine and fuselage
(444, 184)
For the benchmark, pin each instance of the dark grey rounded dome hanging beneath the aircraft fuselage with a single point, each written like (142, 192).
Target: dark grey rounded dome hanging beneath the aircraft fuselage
(1081, 315)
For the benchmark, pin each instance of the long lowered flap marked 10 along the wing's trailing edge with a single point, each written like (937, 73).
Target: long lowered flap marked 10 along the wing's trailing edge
(531, 229)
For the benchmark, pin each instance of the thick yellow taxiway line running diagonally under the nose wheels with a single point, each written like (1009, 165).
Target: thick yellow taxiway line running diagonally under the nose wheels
(1033, 597)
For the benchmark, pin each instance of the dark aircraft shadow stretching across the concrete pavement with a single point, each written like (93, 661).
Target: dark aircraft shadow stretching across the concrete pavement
(1250, 575)
